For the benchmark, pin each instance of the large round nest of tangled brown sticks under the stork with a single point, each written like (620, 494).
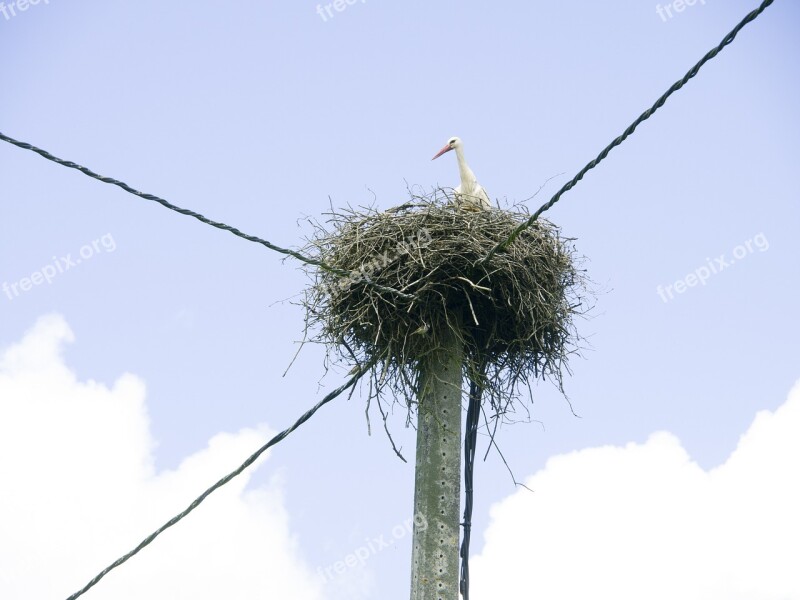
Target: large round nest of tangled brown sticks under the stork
(400, 276)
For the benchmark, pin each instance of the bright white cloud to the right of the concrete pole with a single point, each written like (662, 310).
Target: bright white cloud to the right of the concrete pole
(644, 521)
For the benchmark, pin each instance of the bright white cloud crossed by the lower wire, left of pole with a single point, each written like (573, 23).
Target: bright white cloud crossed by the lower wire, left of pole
(78, 489)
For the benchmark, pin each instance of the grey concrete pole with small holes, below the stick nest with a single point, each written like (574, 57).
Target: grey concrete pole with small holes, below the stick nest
(437, 489)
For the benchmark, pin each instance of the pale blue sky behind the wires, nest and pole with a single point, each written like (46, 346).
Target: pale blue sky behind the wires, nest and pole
(260, 115)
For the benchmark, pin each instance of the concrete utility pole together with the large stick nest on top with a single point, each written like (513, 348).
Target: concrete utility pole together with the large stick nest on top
(432, 315)
